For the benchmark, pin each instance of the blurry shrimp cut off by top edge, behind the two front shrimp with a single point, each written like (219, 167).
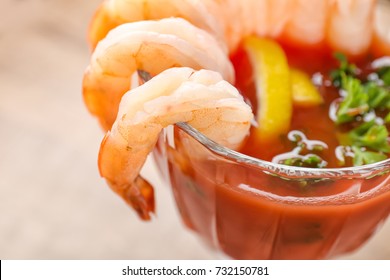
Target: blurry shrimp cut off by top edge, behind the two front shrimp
(112, 13)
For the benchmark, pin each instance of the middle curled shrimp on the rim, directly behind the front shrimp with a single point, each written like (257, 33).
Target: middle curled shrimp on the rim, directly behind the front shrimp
(151, 46)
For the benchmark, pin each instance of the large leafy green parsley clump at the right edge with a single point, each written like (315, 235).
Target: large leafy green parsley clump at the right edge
(369, 140)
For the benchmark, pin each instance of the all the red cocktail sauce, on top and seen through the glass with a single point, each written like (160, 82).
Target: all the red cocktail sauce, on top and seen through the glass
(249, 212)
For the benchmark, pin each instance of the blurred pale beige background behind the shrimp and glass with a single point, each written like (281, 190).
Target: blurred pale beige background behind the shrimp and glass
(53, 203)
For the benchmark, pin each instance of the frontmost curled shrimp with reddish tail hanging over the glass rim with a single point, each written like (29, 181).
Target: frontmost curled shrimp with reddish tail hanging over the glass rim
(200, 98)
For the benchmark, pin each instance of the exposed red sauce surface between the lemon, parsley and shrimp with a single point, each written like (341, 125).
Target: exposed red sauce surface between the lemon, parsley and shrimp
(313, 121)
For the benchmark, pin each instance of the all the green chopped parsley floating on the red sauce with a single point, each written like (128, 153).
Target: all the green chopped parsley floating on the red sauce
(362, 116)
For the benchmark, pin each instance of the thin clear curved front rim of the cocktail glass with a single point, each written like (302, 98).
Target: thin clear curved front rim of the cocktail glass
(281, 170)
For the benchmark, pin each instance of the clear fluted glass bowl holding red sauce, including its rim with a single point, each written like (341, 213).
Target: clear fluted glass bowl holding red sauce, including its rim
(252, 209)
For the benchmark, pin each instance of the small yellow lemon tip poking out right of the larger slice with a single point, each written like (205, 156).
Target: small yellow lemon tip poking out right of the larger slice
(303, 91)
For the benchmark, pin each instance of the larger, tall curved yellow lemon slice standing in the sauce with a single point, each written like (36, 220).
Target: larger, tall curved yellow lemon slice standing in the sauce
(273, 87)
